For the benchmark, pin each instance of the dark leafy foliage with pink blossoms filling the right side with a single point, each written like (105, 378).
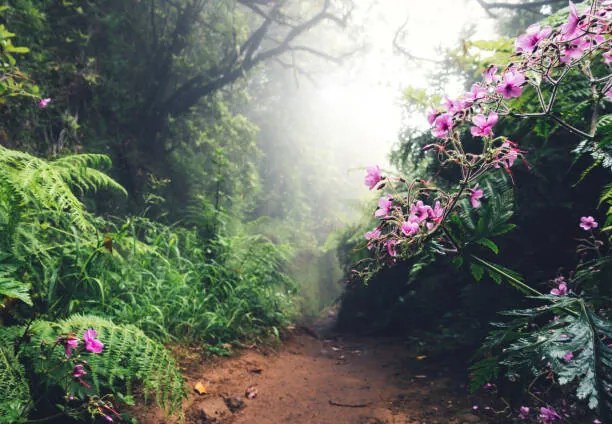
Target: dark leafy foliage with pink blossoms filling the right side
(548, 107)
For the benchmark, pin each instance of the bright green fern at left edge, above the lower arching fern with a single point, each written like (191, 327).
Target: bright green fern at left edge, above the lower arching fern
(39, 202)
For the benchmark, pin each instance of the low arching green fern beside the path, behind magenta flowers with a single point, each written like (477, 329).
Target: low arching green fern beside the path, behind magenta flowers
(129, 356)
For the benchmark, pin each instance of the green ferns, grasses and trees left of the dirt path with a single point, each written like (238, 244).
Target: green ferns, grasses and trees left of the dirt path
(133, 201)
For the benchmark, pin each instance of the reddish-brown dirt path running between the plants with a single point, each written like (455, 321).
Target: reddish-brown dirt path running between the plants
(326, 381)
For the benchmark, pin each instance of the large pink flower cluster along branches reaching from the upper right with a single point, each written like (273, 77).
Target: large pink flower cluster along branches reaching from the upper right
(544, 55)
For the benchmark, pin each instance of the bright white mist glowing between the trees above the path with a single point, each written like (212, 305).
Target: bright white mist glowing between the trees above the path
(332, 118)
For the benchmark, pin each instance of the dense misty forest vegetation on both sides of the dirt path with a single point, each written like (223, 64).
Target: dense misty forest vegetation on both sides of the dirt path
(167, 183)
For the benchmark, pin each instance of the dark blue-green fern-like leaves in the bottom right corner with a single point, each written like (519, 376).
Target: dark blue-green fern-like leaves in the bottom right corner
(570, 339)
